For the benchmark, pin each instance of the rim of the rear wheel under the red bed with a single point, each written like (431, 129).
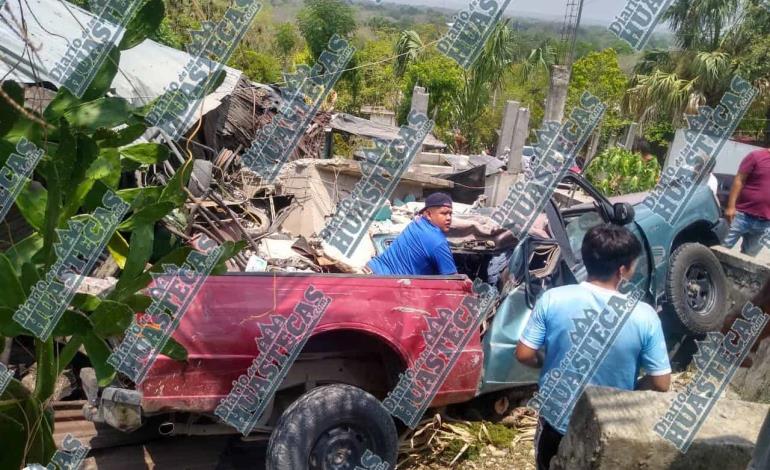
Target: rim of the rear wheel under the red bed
(339, 448)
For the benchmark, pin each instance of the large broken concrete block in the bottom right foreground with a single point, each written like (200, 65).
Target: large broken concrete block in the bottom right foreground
(612, 430)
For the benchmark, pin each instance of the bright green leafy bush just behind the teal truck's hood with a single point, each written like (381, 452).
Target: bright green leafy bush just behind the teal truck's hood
(617, 171)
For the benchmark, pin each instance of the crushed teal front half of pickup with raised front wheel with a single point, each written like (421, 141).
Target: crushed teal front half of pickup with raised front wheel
(678, 271)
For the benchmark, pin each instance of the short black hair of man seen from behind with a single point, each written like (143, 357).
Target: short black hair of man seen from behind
(606, 248)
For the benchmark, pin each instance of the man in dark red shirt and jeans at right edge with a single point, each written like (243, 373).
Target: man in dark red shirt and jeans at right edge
(748, 208)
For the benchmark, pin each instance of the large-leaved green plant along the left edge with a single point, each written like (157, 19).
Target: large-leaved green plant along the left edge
(83, 157)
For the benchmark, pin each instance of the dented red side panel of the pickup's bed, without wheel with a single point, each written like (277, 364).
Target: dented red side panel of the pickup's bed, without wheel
(220, 326)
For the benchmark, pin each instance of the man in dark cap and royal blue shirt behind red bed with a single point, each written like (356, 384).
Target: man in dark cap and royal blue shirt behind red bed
(422, 248)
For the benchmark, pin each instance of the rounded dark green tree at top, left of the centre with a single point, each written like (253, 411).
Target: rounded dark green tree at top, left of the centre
(319, 20)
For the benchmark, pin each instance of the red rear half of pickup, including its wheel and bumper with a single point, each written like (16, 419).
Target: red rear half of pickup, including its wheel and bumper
(370, 333)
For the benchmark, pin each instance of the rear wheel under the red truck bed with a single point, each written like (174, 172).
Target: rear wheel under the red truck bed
(330, 428)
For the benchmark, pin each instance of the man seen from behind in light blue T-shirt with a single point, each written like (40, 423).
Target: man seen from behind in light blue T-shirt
(609, 254)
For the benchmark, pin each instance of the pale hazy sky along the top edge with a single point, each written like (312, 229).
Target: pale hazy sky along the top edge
(594, 11)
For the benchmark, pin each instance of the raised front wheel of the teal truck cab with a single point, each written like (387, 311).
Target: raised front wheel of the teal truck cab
(696, 288)
